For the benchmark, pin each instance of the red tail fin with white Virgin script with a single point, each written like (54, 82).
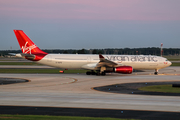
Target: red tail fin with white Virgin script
(26, 45)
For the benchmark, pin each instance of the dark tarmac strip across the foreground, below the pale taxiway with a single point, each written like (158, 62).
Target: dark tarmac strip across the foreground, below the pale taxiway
(86, 112)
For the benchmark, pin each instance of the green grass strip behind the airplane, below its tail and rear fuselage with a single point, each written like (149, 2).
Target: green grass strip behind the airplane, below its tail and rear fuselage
(49, 71)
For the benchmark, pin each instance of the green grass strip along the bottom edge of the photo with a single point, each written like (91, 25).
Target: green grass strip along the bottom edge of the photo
(47, 117)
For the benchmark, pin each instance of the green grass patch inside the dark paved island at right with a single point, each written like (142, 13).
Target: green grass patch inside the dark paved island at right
(161, 88)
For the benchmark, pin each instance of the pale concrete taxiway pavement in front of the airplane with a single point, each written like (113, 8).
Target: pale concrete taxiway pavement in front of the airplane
(75, 91)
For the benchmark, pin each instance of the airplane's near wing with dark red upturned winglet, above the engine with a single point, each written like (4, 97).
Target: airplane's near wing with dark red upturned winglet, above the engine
(106, 63)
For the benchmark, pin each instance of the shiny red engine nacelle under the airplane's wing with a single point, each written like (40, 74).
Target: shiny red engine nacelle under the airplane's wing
(123, 69)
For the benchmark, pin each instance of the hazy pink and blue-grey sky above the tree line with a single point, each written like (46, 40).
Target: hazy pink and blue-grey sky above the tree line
(77, 24)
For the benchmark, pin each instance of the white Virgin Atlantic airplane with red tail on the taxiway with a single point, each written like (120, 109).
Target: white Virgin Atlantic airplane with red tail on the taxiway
(97, 64)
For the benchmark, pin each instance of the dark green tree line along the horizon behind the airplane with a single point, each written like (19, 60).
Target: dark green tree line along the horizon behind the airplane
(119, 51)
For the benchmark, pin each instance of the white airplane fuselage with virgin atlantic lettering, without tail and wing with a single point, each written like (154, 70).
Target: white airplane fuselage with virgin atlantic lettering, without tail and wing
(88, 61)
